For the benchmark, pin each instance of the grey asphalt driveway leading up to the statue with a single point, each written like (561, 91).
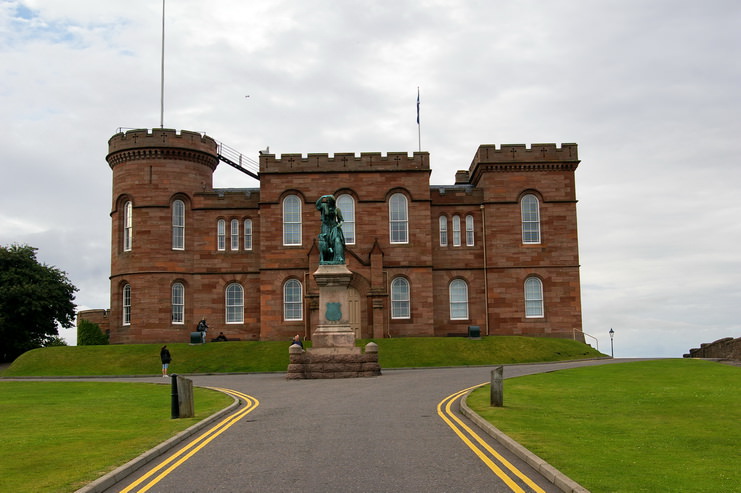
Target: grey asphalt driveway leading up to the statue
(380, 434)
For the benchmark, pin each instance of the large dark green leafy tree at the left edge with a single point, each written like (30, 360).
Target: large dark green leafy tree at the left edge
(34, 300)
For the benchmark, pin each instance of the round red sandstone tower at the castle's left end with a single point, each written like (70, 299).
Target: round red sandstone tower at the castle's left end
(156, 176)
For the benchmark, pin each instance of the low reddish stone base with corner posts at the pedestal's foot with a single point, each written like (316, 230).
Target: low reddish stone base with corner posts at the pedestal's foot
(333, 364)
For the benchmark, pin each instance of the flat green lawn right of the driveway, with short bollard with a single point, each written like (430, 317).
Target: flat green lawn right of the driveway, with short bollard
(668, 425)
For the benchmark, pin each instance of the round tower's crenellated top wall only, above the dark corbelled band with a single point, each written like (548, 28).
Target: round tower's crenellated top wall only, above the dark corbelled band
(162, 138)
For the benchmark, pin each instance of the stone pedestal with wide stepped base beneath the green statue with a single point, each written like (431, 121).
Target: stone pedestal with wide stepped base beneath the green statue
(333, 353)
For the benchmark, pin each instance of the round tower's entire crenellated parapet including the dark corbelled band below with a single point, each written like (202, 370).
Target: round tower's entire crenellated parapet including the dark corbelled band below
(162, 143)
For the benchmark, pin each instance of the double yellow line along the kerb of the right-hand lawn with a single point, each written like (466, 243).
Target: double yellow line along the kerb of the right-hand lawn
(483, 450)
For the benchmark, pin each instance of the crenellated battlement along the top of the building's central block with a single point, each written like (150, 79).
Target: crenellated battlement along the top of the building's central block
(344, 161)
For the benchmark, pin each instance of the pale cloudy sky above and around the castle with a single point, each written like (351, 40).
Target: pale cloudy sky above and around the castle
(650, 90)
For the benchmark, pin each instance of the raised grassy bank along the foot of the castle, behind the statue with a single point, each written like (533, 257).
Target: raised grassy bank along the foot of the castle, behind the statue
(266, 356)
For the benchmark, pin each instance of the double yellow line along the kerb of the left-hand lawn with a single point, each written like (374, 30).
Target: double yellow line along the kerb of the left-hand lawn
(193, 447)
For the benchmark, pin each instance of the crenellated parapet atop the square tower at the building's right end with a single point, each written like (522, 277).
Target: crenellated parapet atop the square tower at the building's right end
(520, 157)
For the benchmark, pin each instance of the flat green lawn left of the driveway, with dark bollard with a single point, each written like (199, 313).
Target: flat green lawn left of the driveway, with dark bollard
(59, 436)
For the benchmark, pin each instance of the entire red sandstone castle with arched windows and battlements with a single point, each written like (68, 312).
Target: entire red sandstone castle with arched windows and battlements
(497, 249)
